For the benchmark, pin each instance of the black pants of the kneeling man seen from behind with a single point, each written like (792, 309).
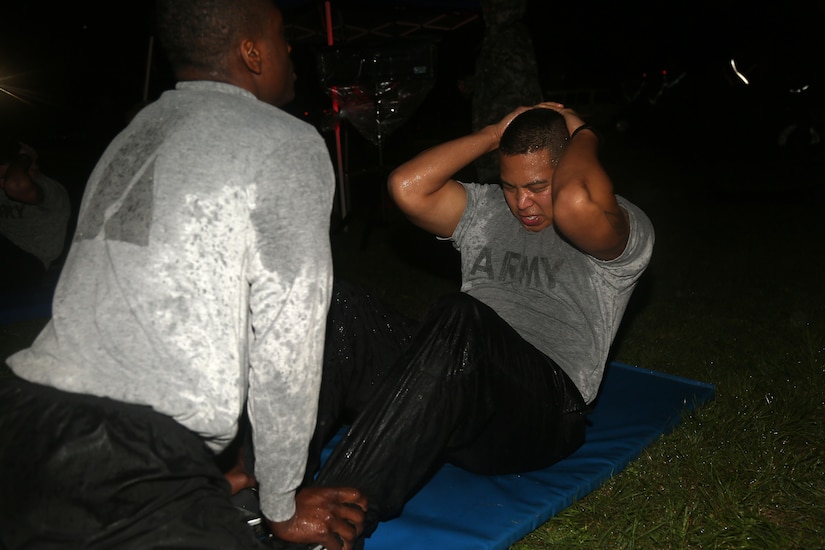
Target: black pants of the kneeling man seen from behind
(78, 471)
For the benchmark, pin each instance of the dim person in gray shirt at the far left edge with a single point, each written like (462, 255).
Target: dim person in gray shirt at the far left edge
(34, 218)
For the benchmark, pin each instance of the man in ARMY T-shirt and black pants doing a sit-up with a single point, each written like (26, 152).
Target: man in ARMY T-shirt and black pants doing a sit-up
(496, 378)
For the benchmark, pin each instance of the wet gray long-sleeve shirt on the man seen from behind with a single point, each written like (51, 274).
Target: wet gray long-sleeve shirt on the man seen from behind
(200, 271)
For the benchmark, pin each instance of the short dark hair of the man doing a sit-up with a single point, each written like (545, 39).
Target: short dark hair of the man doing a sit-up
(536, 130)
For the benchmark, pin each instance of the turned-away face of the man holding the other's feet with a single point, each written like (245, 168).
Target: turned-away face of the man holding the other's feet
(279, 88)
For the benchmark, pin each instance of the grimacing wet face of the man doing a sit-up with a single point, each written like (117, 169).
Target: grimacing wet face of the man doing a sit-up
(526, 182)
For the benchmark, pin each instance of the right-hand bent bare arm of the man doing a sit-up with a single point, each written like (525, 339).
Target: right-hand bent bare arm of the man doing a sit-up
(585, 209)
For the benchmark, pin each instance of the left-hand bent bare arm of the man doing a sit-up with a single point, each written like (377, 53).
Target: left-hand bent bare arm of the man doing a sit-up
(424, 188)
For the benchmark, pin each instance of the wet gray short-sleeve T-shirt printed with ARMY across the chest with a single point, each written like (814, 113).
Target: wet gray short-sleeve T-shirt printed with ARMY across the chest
(564, 302)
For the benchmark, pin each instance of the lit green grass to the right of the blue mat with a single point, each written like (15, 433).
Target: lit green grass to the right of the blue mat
(745, 471)
